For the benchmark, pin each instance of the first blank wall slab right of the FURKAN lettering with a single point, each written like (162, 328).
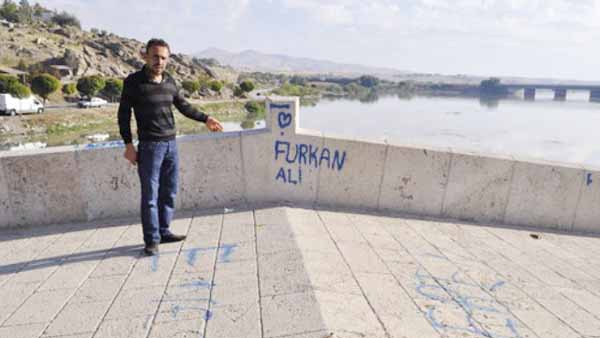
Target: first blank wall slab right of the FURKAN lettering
(414, 180)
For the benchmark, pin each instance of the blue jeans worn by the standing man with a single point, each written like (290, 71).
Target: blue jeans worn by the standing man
(157, 167)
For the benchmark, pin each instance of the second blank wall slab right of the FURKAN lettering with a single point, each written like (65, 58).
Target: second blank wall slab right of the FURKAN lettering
(478, 188)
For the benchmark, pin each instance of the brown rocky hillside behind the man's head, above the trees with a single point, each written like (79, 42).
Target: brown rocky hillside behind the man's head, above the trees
(38, 45)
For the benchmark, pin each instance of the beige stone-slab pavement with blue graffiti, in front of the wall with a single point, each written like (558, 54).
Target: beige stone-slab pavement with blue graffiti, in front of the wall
(299, 273)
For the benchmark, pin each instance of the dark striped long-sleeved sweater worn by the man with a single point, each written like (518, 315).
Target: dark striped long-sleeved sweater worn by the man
(152, 103)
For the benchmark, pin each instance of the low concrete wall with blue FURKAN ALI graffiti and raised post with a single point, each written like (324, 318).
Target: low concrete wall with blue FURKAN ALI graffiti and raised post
(287, 164)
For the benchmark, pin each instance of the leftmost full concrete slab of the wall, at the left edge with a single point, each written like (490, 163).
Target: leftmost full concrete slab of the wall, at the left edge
(37, 200)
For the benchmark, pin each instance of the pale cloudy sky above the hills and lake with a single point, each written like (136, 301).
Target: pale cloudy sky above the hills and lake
(529, 38)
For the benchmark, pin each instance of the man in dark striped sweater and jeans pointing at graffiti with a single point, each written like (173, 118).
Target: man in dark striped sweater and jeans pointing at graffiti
(151, 92)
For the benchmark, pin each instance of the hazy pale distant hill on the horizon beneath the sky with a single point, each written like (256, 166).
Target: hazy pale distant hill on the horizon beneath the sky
(251, 60)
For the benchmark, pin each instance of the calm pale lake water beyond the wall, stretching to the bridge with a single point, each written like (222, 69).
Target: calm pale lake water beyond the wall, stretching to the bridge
(544, 129)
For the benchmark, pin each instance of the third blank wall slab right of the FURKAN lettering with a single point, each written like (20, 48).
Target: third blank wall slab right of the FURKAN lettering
(544, 195)
